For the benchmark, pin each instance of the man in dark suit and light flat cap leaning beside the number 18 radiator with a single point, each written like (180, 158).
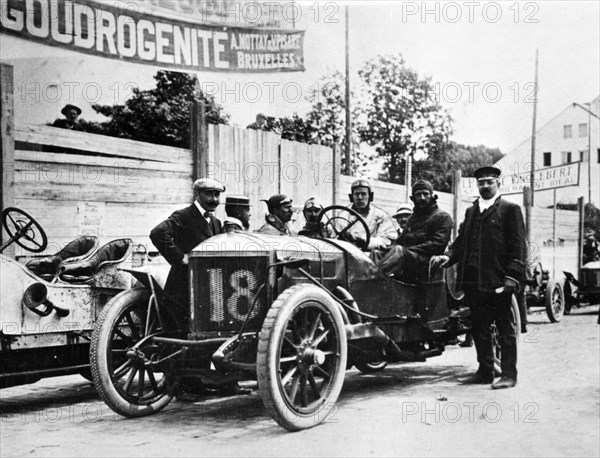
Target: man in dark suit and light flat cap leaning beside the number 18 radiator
(181, 232)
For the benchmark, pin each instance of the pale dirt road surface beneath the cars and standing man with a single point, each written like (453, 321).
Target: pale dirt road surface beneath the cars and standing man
(408, 410)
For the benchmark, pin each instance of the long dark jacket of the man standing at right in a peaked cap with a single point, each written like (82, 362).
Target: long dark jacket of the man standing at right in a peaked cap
(502, 245)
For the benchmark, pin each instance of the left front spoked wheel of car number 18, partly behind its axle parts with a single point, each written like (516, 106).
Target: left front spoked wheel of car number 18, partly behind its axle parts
(116, 374)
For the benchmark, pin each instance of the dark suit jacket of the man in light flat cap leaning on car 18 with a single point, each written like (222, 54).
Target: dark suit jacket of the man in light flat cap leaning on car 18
(176, 236)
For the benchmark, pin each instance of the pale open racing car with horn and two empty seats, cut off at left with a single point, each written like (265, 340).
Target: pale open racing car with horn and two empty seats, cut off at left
(48, 306)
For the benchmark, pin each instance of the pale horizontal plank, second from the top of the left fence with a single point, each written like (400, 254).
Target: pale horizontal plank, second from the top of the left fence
(67, 158)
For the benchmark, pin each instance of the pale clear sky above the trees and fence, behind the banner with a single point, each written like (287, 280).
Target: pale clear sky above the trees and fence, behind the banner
(480, 56)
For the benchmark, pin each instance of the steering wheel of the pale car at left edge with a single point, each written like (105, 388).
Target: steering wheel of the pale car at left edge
(24, 230)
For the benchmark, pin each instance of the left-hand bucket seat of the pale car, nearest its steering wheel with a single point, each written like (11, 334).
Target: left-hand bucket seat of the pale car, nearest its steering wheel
(77, 250)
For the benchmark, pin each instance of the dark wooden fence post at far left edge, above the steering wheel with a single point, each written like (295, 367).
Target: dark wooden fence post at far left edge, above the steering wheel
(7, 144)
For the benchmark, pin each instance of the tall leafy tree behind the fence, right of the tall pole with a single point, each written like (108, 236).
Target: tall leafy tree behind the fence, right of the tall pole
(402, 117)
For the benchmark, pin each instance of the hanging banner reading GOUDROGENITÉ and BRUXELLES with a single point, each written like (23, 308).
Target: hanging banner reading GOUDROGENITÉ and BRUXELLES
(128, 35)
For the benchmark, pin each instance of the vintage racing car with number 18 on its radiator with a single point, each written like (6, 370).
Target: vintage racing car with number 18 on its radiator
(293, 313)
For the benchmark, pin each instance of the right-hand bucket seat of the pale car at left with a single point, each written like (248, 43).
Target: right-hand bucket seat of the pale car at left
(107, 257)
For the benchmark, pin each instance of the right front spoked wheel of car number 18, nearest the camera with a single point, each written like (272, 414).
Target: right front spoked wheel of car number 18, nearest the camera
(302, 356)
